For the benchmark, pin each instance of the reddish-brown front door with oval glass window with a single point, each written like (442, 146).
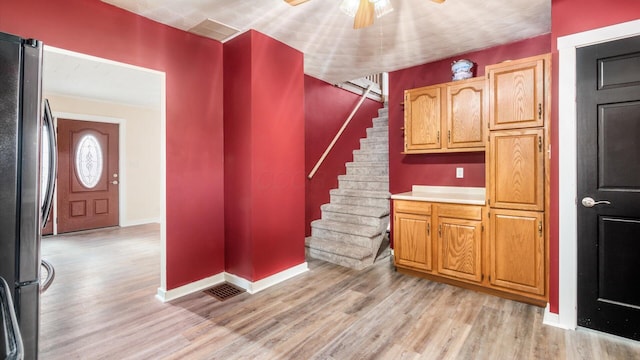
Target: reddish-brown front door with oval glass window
(88, 182)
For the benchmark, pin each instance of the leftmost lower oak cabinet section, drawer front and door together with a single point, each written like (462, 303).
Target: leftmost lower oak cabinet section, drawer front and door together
(412, 235)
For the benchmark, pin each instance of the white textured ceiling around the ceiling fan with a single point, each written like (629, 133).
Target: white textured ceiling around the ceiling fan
(416, 32)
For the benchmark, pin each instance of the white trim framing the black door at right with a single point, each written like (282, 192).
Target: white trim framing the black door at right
(567, 158)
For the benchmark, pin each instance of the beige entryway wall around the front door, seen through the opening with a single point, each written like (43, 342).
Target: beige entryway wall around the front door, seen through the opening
(141, 169)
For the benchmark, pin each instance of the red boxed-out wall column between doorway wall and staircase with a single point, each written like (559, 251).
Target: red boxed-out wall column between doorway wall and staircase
(264, 156)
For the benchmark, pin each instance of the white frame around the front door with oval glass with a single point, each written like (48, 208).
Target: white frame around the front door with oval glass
(122, 155)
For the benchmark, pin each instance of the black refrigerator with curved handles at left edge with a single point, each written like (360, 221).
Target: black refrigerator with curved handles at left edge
(27, 172)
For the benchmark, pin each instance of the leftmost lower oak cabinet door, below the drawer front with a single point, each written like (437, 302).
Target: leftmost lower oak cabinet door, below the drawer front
(412, 240)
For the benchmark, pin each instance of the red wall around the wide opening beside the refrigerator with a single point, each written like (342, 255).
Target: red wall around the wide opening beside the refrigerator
(193, 66)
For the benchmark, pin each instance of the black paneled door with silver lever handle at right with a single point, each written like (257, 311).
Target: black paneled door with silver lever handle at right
(608, 104)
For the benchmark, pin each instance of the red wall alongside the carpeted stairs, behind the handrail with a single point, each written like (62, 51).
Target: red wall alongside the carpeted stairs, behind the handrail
(326, 109)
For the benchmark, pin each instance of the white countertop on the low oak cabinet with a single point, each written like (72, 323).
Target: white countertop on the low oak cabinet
(448, 194)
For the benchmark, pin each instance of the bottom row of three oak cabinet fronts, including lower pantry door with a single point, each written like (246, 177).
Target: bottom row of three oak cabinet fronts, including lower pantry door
(501, 252)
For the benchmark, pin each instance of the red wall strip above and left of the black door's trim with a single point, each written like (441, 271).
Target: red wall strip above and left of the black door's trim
(570, 17)
